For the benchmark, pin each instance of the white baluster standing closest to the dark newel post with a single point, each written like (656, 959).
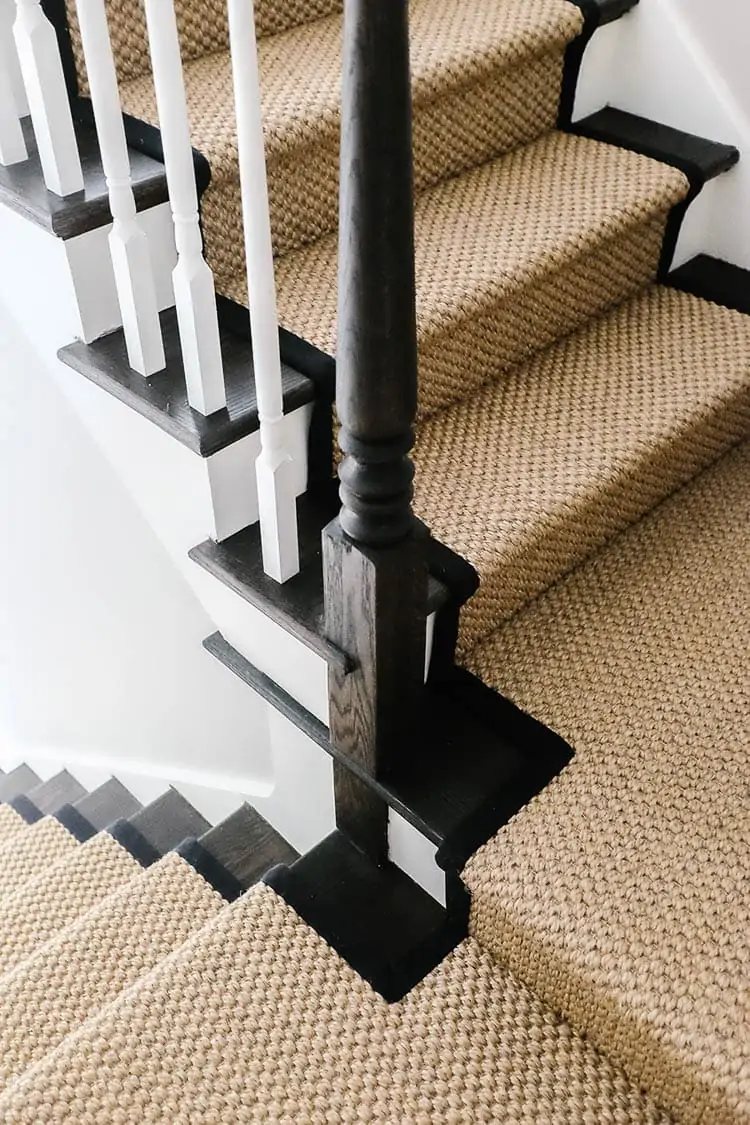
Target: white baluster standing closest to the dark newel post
(276, 488)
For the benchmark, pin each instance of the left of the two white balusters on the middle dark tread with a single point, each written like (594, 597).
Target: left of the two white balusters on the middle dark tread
(128, 241)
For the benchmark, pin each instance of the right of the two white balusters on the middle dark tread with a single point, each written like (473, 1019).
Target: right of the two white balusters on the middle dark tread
(195, 296)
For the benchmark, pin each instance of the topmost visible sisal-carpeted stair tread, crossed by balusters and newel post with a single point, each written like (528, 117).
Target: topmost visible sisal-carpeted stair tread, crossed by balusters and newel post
(301, 71)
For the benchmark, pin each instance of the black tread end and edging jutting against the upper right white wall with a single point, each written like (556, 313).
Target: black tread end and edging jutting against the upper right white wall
(699, 159)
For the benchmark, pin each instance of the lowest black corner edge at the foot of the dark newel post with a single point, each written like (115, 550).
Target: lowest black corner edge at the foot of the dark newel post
(386, 928)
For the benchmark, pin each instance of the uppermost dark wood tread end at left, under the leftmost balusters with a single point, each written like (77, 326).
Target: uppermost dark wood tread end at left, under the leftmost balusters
(23, 188)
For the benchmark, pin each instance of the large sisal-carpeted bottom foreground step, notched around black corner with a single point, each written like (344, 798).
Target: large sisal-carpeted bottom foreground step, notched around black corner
(469, 1036)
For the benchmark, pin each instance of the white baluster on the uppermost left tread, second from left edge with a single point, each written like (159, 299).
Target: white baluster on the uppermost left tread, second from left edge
(39, 56)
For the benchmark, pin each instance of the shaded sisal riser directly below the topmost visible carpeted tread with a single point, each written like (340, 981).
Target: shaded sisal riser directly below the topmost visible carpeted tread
(512, 109)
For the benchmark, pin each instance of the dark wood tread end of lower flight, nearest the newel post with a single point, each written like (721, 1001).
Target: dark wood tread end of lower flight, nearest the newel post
(248, 847)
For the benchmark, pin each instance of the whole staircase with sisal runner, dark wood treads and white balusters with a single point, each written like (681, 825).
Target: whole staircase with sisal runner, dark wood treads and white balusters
(531, 696)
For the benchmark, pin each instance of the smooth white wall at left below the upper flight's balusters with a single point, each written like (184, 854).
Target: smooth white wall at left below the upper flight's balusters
(101, 637)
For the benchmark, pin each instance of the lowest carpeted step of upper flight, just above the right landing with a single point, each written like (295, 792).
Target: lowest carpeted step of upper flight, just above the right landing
(538, 470)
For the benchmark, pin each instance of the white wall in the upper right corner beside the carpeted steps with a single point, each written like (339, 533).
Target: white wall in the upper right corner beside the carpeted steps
(684, 64)
